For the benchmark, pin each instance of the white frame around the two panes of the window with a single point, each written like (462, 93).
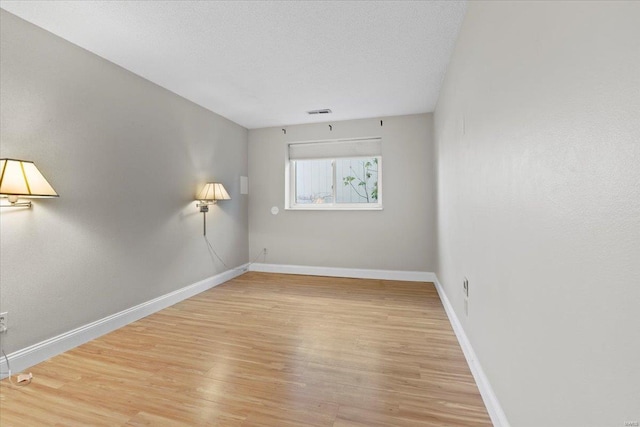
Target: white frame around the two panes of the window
(290, 183)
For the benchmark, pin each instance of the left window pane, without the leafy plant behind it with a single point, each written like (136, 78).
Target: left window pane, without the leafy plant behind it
(313, 181)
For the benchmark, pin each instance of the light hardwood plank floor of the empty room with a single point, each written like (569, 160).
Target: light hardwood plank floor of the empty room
(265, 350)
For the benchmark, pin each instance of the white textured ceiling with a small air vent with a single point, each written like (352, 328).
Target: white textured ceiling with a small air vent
(265, 63)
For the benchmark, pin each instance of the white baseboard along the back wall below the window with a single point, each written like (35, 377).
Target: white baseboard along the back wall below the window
(356, 273)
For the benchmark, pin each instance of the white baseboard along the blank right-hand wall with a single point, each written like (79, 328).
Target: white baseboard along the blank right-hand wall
(498, 417)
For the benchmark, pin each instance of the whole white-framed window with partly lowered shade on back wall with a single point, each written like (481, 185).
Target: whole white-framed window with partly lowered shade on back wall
(343, 174)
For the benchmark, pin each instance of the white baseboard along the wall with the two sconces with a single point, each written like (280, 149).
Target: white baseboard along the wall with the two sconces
(34, 354)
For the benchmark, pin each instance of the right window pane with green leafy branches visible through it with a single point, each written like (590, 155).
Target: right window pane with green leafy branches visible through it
(357, 180)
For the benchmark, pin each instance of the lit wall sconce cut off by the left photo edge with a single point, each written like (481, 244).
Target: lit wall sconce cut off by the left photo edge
(21, 178)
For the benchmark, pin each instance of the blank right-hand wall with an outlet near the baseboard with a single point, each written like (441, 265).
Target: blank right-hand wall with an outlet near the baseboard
(539, 205)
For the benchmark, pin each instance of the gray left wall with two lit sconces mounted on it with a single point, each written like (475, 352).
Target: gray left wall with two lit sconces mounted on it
(127, 158)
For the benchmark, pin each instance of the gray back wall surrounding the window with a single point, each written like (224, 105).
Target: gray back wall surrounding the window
(400, 237)
